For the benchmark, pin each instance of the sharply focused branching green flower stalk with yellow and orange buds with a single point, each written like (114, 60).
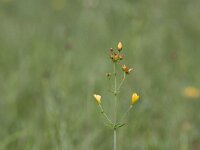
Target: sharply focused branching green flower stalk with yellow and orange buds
(117, 56)
